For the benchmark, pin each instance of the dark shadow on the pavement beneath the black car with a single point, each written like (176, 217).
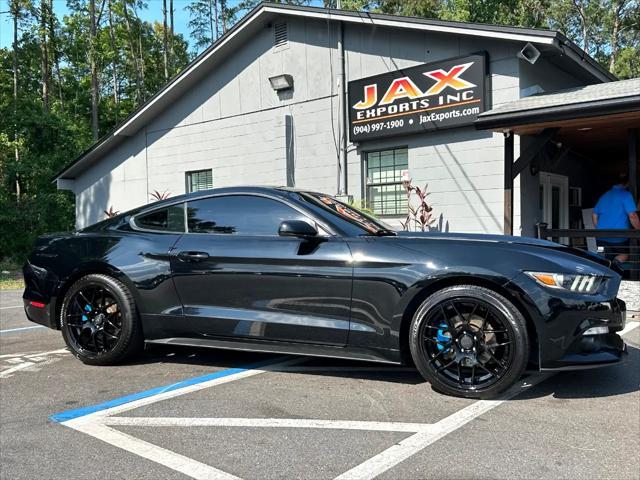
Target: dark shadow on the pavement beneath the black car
(593, 383)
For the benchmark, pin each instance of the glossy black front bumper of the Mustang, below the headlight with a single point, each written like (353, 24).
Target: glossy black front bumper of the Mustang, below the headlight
(561, 320)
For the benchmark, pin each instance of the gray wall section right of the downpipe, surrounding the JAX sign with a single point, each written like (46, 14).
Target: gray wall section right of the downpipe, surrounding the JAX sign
(462, 167)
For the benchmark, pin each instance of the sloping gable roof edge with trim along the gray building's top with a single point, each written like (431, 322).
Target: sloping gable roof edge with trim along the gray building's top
(266, 11)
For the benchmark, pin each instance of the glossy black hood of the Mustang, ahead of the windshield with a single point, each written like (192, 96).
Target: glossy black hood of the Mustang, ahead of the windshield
(512, 240)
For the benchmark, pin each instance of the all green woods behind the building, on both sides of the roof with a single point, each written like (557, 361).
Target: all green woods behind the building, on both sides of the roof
(64, 82)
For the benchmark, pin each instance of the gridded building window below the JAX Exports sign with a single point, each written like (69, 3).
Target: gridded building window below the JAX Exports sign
(384, 191)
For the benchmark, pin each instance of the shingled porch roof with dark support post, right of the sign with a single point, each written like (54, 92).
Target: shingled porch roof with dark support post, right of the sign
(597, 120)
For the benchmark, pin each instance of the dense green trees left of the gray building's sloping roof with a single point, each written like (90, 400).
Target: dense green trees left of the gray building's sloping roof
(48, 105)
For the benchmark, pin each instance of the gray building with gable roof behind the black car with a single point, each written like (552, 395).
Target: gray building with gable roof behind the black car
(267, 104)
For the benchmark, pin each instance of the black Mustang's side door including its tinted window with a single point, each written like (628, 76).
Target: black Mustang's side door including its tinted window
(236, 277)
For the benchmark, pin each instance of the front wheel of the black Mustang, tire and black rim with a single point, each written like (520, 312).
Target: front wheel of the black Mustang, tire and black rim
(469, 341)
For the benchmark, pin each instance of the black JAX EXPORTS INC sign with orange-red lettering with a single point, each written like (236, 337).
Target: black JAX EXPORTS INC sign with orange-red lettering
(449, 93)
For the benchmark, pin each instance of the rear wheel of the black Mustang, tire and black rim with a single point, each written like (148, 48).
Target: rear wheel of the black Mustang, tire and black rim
(99, 321)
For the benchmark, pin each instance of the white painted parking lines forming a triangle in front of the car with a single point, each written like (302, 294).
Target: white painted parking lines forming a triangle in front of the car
(98, 423)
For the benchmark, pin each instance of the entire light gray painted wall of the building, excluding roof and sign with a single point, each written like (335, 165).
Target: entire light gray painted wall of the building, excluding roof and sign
(233, 122)
